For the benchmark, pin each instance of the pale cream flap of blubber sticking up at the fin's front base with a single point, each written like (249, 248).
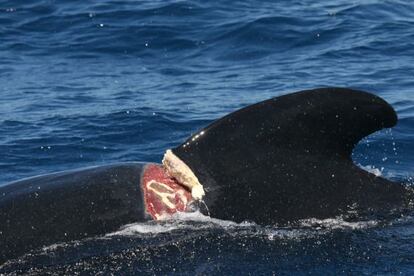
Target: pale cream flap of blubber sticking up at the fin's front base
(183, 174)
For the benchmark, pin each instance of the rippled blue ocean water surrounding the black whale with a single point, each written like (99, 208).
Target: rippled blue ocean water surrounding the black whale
(96, 82)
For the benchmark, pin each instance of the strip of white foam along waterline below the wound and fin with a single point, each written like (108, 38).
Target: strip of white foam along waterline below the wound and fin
(196, 221)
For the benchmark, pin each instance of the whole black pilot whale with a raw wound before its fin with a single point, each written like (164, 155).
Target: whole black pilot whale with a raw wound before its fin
(277, 161)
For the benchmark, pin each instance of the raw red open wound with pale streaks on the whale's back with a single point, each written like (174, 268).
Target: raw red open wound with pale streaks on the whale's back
(163, 195)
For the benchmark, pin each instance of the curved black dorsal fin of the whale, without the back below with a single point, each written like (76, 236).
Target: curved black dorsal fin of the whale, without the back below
(287, 141)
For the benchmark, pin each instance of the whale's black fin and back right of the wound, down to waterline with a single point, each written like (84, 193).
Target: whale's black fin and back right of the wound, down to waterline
(289, 157)
